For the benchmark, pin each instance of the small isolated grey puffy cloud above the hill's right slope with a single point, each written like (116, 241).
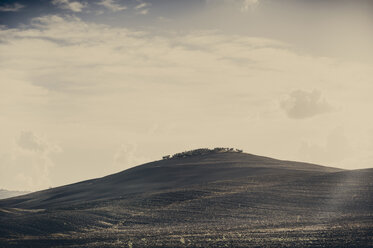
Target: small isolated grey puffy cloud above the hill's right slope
(302, 104)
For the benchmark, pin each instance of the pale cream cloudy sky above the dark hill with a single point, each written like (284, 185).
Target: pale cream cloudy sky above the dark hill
(90, 88)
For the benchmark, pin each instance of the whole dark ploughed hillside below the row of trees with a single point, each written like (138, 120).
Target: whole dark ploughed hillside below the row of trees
(215, 200)
